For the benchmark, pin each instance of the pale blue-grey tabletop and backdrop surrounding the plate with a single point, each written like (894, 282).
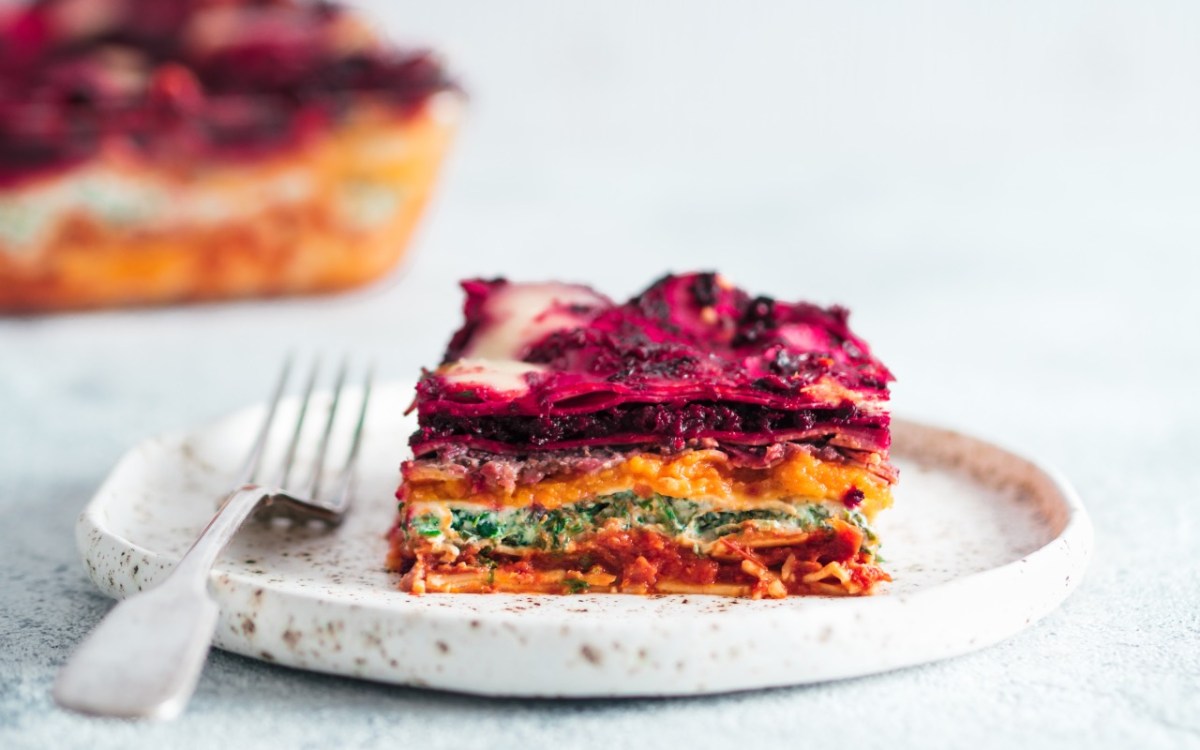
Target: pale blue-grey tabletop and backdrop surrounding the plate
(1007, 199)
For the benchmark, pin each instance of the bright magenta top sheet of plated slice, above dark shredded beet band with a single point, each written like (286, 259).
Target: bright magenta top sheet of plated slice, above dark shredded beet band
(686, 339)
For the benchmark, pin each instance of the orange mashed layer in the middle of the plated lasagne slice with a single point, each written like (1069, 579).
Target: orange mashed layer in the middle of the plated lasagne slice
(693, 475)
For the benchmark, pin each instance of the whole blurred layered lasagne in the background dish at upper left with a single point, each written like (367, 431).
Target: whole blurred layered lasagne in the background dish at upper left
(175, 151)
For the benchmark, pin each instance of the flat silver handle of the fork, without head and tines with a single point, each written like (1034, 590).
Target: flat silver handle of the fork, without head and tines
(146, 657)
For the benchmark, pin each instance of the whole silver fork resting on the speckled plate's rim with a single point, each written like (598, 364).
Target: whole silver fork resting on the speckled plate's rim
(143, 661)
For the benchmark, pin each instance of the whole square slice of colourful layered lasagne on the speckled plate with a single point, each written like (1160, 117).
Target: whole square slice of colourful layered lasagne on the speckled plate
(694, 440)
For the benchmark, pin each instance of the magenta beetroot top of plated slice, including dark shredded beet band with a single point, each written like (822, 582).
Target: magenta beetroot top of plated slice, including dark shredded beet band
(692, 359)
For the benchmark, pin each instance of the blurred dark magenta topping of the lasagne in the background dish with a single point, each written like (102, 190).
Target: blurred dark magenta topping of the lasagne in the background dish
(179, 80)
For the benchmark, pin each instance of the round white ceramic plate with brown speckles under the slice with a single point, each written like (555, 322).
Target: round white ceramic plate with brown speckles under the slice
(981, 542)
